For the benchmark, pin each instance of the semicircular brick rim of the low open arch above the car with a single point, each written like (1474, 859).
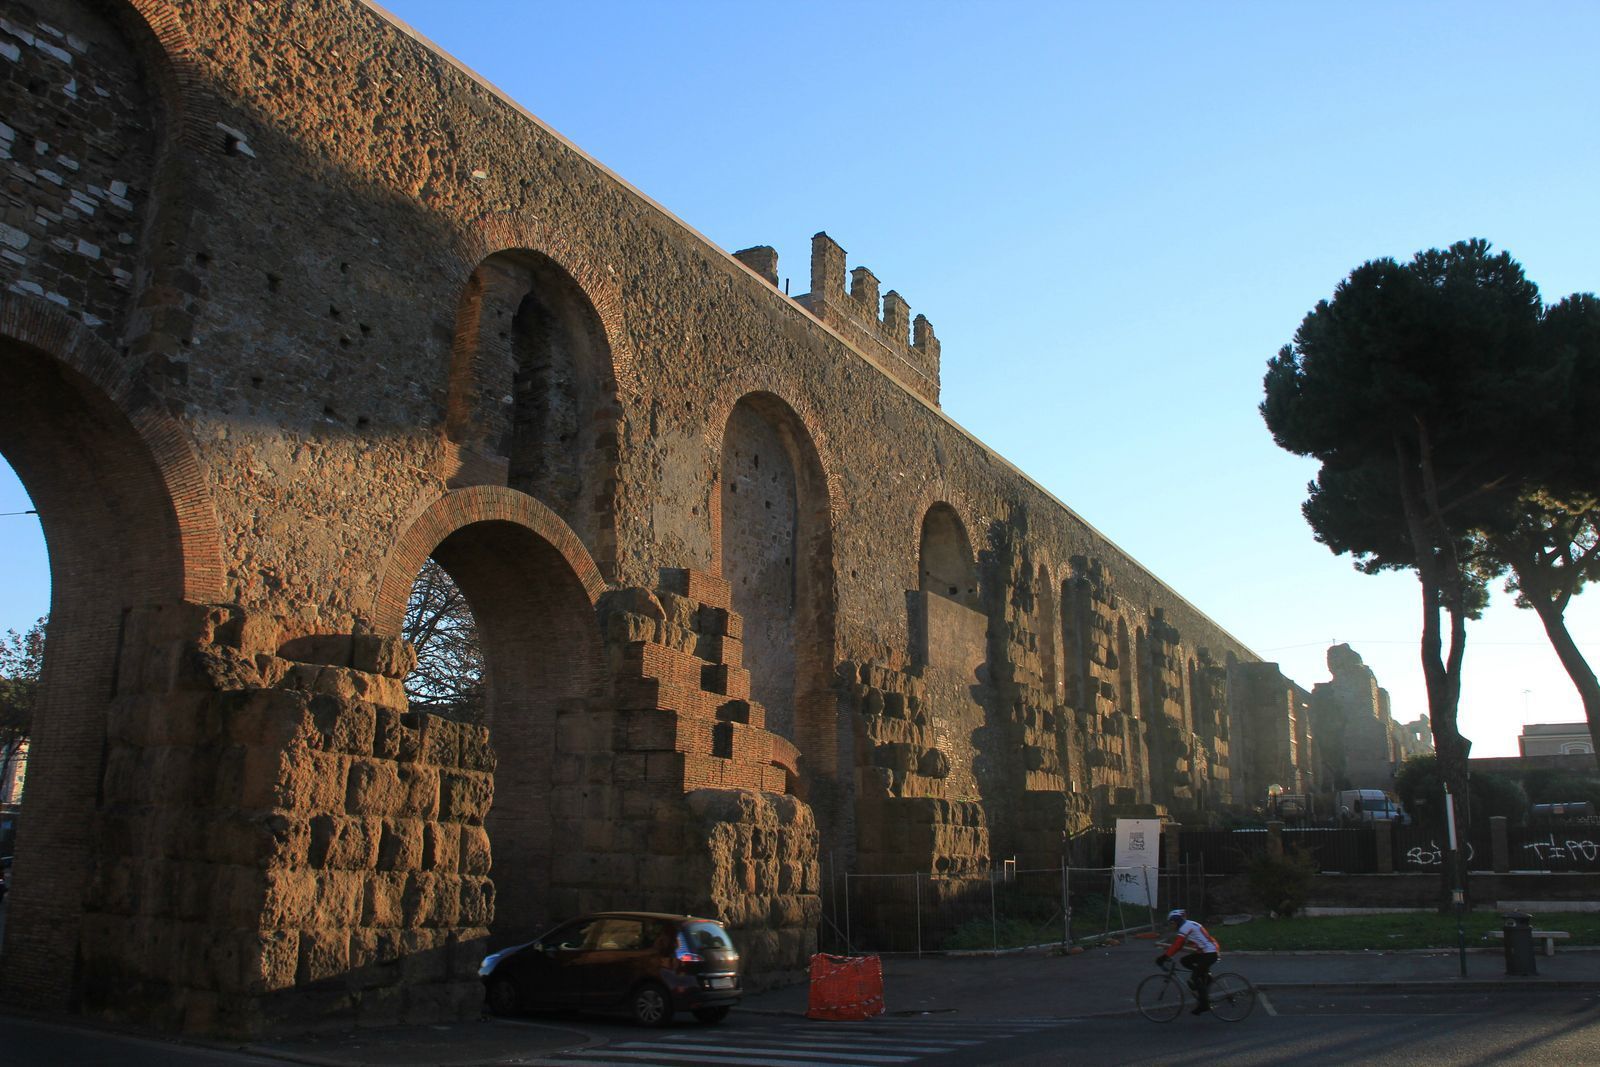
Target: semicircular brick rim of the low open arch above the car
(465, 508)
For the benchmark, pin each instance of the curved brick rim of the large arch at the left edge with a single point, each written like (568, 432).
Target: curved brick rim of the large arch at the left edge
(36, 324)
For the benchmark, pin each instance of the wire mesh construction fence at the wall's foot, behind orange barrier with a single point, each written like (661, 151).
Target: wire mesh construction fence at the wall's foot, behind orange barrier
(1009, 909)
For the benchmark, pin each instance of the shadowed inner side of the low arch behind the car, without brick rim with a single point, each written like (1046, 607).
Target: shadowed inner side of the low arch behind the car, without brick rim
(540, 665)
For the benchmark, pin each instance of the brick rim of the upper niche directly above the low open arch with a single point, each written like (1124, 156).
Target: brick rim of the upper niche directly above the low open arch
(508, 233)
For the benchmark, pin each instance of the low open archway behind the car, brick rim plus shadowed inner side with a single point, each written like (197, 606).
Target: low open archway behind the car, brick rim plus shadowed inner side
(532, 589)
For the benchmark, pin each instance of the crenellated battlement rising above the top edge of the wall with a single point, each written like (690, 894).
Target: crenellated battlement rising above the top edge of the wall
(879, 326)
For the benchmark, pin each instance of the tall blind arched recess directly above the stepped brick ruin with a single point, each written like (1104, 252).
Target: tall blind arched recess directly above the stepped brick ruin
(777, 556)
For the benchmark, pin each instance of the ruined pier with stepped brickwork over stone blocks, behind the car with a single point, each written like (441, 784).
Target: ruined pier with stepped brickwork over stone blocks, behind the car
(682, 797)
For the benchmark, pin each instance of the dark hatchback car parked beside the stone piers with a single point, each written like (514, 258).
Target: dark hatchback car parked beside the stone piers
(642, 962)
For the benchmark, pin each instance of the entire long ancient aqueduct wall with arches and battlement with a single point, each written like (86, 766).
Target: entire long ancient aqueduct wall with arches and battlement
(292, 303)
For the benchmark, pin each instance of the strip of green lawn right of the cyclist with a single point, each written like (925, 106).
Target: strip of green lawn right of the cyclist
(1417, 930)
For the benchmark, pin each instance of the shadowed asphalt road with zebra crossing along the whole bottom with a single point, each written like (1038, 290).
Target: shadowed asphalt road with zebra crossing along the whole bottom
(1302, 1026)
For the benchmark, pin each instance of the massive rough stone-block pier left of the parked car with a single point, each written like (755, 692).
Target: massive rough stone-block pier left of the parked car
(282, 844)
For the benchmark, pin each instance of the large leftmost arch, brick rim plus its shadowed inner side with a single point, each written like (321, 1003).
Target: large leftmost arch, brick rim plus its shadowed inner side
(129, 524)
